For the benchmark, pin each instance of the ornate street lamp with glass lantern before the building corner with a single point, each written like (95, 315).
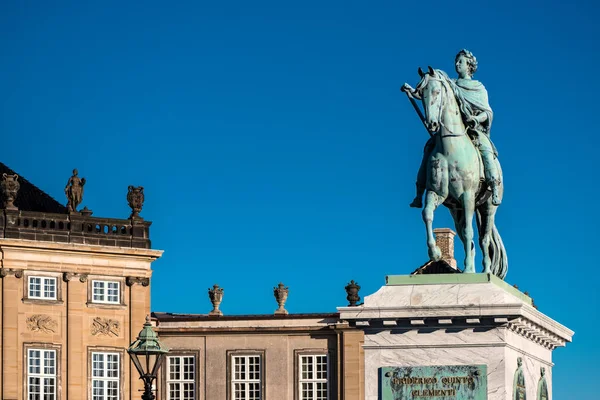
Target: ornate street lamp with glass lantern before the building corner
(147, 353)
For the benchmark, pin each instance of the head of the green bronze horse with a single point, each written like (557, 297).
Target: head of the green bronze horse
(432, 91)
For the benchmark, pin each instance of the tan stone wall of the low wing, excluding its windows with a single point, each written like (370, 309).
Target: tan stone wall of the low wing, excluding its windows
(279, 340)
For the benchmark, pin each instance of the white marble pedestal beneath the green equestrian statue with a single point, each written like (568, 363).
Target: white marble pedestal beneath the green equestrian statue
(457, 319)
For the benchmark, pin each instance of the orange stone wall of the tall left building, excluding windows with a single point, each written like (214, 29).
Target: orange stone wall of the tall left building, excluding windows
(72, 324)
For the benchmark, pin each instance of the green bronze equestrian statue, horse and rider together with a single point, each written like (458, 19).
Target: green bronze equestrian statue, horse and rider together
(460, 166)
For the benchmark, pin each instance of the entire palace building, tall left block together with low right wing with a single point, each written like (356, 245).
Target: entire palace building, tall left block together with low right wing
(75, 292)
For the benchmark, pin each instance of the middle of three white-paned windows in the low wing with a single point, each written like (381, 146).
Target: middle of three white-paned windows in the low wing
(246, 377)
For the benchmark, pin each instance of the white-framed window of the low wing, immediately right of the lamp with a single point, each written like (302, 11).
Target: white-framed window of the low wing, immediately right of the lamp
(181, 378)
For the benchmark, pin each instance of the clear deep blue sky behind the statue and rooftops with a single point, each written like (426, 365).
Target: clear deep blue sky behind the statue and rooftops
(274, 145)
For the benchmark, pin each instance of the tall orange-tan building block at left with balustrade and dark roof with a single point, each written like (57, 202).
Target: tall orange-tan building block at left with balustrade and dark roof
(74, 294)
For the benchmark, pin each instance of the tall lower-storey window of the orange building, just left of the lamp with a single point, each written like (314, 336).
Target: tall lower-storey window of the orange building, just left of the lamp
(105, 376)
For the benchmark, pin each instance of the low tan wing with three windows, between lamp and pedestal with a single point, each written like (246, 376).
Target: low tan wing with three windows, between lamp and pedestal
(293, 356)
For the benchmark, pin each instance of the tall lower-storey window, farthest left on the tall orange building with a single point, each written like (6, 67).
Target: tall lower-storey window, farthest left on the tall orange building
(41, 374)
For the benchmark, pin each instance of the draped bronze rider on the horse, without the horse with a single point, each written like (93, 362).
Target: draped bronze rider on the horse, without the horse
(477, 114)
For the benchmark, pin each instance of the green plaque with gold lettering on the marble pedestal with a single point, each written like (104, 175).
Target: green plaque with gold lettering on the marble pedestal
(445, 382)
